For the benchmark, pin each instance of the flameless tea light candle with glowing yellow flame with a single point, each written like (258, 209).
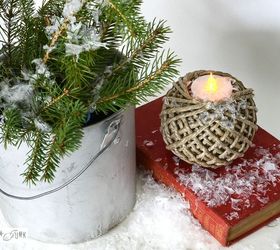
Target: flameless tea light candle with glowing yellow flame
(212, 88)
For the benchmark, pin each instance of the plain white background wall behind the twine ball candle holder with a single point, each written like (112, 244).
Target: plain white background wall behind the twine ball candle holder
(239, 37)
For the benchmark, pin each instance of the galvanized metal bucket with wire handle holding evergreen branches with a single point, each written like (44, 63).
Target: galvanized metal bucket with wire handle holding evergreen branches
(93, 191)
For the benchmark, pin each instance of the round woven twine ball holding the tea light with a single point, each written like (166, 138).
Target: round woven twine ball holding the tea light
(210, 134)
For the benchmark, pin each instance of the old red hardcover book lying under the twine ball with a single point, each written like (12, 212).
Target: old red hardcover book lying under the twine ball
(230, 202)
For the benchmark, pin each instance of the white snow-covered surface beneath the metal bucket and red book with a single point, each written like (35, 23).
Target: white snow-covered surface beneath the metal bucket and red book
(160, 220)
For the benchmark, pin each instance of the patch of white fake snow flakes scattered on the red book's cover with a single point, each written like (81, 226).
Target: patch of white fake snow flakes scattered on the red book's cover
(217, 190)
